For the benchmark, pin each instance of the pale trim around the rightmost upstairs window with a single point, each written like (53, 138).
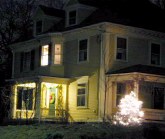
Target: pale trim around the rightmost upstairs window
(157, 43)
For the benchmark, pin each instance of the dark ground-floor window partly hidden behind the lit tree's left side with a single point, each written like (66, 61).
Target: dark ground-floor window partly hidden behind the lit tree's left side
(121, 88)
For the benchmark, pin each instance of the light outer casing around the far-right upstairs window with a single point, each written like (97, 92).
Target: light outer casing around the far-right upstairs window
(151, 42)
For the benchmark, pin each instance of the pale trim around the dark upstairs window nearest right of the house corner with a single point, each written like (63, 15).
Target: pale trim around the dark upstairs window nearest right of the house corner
(122, 60)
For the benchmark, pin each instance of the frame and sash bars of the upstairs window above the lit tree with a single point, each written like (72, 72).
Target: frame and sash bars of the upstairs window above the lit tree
(126, 49)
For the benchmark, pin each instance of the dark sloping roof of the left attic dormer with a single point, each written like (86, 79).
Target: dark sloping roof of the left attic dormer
(52, 11)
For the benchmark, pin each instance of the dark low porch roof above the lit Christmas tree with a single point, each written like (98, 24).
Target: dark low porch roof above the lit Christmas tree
(141, 69)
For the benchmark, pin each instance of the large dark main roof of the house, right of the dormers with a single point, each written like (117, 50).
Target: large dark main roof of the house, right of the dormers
(137, 13)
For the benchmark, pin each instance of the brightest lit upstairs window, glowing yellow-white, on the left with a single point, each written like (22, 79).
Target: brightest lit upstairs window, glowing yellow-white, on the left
(44, 55)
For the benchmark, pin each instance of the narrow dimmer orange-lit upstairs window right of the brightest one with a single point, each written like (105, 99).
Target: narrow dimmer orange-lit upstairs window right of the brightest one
(57, 54)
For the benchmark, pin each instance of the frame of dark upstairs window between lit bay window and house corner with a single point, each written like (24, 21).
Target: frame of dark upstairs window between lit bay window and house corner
(87, 51)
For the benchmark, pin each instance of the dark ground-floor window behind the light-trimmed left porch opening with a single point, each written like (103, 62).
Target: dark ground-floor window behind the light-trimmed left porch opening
(25, 98)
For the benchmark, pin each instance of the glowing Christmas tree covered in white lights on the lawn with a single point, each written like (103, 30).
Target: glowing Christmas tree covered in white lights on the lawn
(129, 111)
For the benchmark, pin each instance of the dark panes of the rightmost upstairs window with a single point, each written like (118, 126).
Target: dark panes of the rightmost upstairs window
(155, 54)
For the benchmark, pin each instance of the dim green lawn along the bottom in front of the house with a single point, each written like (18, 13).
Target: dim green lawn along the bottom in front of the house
(81, 131)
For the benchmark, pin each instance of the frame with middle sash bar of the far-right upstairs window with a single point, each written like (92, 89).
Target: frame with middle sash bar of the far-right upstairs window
(159, 64)
